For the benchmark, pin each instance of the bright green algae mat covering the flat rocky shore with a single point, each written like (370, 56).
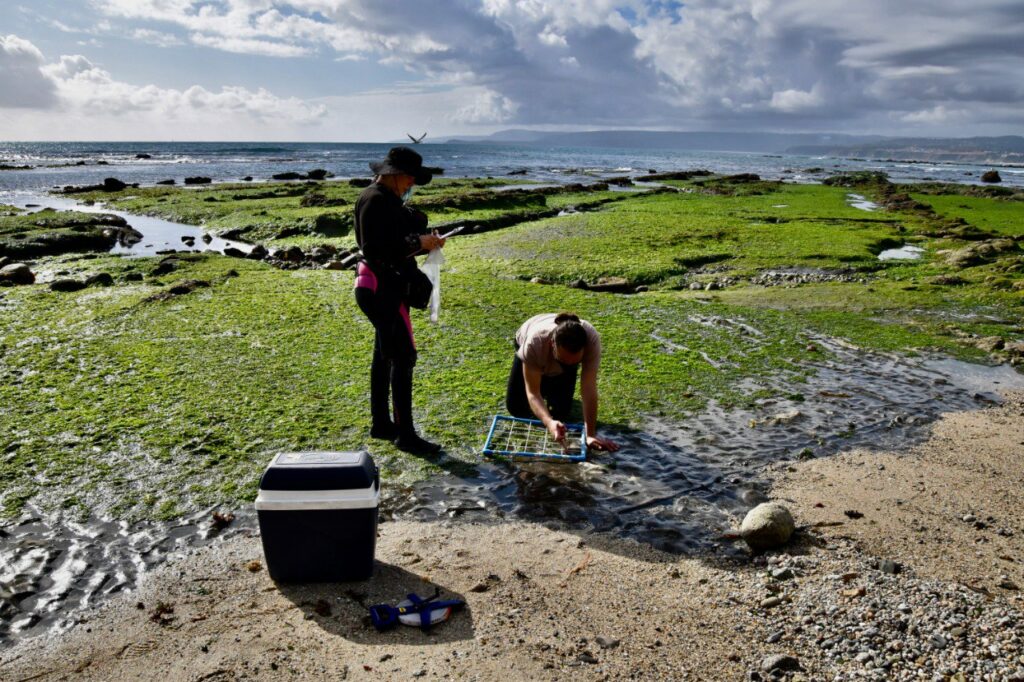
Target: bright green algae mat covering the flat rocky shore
(134, 402)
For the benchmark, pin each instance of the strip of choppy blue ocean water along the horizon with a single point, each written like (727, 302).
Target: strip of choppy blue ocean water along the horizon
(56, 164)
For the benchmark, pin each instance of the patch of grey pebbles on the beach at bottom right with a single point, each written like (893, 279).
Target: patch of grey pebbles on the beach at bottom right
(850, 617)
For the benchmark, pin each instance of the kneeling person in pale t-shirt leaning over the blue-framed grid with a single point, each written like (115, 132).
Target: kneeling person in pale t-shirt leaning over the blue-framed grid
(549, 350)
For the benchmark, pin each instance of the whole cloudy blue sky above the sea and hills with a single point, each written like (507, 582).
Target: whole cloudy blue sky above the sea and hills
(374, 70)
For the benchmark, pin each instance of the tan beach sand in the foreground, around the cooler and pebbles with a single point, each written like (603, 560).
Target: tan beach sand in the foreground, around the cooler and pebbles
(540, 600)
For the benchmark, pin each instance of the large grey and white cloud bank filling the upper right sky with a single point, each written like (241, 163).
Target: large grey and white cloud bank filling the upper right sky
(780, 64)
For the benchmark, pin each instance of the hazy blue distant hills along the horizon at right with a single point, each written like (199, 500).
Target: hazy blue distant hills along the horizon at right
(1008, 149)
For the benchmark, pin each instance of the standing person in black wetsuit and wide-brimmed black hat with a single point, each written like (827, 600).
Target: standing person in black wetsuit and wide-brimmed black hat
(391, 234)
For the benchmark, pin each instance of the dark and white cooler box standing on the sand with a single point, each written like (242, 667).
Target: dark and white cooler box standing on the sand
(318, 517)
